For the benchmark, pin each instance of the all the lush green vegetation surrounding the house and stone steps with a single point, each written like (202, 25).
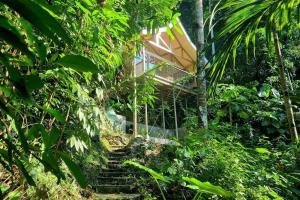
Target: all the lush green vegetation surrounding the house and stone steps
(64, 62)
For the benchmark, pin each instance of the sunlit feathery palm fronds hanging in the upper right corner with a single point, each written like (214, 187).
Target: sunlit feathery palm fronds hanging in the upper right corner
(243, 20)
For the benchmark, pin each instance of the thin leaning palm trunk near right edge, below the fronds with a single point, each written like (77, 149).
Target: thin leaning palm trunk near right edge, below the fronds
(284, 90)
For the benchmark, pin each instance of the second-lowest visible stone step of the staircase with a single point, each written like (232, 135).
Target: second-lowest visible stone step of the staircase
(114, 188)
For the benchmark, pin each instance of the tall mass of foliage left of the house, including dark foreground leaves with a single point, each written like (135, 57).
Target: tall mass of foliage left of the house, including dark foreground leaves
(57, 62)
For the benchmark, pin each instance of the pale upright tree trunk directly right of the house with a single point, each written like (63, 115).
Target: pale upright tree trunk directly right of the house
(202, 102)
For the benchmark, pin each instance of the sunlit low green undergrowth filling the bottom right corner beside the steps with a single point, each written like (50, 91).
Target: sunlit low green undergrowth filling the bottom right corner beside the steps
(217, 156)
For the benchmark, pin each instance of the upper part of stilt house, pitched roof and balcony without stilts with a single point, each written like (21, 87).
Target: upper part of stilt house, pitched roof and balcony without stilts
(170, 56)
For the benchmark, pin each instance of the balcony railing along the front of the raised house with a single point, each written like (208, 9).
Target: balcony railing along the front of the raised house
(165, 70)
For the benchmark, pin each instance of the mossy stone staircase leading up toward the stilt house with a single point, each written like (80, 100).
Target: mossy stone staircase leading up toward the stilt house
(115, 181)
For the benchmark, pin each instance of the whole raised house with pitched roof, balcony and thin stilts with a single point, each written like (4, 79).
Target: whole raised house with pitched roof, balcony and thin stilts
(171, 56)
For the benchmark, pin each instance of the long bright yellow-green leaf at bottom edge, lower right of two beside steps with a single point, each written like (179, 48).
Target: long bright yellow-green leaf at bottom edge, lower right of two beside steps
(206, 187)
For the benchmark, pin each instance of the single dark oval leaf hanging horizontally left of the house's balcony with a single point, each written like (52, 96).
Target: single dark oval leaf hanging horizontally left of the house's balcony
(78, 63)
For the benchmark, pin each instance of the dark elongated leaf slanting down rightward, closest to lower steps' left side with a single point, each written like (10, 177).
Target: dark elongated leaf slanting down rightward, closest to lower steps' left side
(75, 170)
